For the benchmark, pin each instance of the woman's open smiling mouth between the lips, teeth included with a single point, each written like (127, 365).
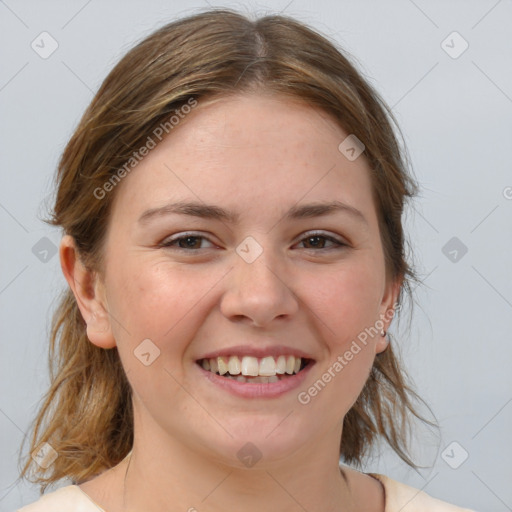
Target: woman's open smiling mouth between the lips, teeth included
(248, 369)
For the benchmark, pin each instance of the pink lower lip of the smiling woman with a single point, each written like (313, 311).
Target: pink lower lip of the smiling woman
(258, 390)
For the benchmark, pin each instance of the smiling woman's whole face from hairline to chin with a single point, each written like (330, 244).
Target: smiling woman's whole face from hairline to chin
(259, 269)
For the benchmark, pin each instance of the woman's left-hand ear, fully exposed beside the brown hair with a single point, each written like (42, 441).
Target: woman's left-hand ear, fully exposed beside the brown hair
(89, 294)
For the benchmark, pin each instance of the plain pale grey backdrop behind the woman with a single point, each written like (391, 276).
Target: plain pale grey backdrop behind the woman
(456, 114)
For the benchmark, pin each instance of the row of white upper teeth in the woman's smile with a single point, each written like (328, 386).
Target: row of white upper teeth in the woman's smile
(252, 366)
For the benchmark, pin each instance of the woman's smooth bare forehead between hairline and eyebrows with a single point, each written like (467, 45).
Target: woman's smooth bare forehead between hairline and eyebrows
(257, 153)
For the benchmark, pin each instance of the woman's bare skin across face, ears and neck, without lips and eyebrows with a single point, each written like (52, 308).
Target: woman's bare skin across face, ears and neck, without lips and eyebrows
(257, 155)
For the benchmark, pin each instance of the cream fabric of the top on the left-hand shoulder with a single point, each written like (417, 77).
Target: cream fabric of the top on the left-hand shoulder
(66, 499)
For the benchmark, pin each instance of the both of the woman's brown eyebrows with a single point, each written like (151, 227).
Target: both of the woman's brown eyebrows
(206, 211)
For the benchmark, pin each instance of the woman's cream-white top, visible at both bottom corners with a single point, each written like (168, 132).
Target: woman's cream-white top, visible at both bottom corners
(399, 498)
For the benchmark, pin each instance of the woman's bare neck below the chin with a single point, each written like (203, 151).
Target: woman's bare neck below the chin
(164, 476)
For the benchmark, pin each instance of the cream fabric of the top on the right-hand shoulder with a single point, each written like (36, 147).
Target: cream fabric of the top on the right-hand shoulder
(403, 498)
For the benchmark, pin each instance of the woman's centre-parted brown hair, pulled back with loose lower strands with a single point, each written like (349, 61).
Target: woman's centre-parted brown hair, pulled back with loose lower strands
(87, 413)
